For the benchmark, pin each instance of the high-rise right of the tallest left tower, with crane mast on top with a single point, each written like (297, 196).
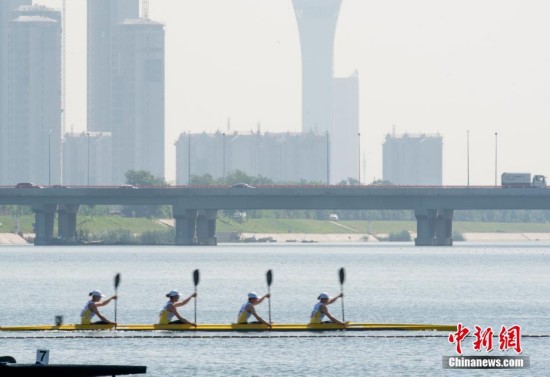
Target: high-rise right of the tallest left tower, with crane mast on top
(138, 98)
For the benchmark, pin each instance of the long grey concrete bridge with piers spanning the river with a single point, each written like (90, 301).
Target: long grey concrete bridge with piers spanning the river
(195, 209)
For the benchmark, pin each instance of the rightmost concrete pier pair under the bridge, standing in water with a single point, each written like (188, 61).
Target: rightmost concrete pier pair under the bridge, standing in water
(434, 227)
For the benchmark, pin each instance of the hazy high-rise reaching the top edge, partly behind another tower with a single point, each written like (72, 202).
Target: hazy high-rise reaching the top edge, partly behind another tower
(103, 17)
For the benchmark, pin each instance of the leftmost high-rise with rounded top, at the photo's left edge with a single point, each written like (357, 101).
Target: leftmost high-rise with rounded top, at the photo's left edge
(32, 133)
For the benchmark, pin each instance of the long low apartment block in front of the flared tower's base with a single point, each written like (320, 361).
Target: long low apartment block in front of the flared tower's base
(282, 157)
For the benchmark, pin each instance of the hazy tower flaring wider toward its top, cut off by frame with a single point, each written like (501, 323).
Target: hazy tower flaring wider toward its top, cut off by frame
(317, 25)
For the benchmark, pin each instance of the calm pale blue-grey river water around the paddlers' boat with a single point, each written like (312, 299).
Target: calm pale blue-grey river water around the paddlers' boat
(485, 285)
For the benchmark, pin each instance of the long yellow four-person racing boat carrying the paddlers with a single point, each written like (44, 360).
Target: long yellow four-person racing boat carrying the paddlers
(351, 326)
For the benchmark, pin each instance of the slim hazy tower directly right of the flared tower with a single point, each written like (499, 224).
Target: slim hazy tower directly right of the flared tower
(345, 142)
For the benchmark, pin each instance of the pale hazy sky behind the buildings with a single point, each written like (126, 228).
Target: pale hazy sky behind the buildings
(425, 66)
